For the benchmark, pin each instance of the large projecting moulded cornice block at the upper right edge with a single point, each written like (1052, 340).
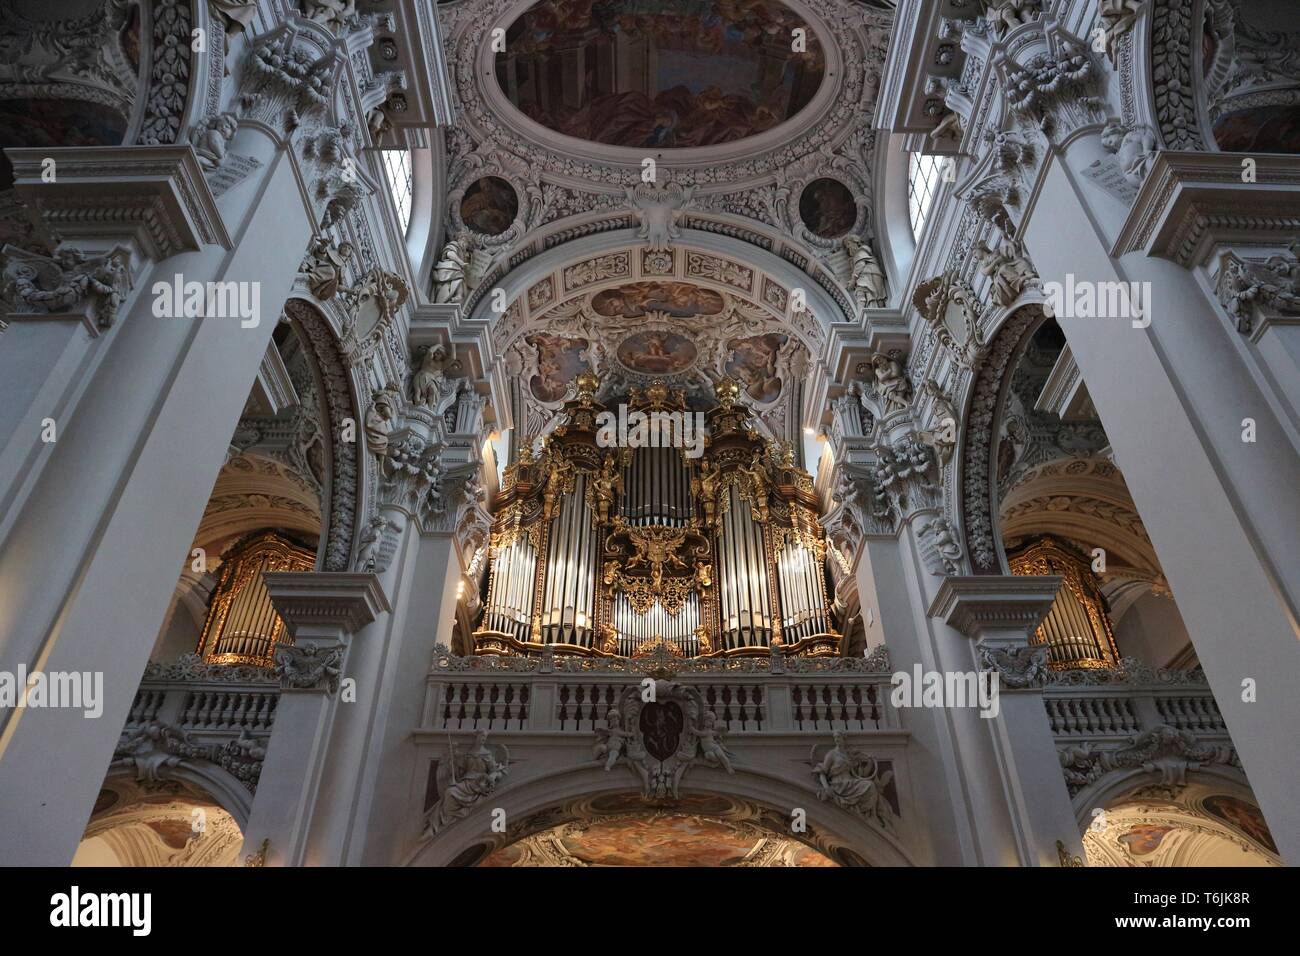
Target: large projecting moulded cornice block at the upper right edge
(1194, 204)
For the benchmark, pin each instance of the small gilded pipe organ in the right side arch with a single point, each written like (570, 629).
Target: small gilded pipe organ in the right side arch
(1077, 629)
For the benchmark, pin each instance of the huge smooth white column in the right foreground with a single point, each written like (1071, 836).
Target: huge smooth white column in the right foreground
(1223, 514)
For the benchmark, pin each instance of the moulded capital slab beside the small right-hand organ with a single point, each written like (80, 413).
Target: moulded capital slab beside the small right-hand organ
(982, 605)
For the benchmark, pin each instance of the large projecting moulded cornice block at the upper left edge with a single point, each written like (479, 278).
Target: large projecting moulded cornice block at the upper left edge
(154, 197)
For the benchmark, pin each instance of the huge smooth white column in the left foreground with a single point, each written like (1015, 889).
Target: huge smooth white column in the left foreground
(90, 552)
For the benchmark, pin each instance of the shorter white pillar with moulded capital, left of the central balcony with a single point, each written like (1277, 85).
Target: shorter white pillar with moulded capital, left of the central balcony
(324, 612)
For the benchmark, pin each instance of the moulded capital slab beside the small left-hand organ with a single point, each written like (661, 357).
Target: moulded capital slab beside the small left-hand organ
(327, 607)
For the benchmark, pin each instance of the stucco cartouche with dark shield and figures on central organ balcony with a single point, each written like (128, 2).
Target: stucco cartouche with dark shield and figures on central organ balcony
(662, 738)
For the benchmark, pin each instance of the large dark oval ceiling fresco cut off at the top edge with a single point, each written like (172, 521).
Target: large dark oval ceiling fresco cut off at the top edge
(660, 73)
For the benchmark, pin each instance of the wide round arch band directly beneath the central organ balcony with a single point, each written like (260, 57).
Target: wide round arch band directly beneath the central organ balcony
(540, 804)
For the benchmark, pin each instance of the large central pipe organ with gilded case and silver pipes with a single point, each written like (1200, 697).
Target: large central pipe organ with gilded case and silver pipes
(614, 551)
